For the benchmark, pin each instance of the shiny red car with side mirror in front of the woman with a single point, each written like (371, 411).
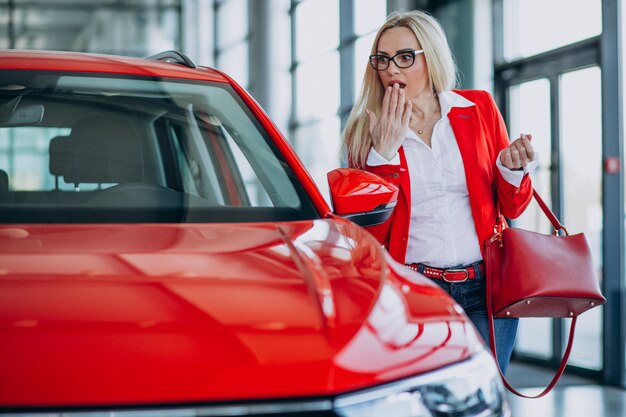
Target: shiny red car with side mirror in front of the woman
(164, 252)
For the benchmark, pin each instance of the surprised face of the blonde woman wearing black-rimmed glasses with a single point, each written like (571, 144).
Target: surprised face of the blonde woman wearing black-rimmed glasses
(415, 78)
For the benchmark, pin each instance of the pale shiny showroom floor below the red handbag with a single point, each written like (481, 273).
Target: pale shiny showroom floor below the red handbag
(572, 397)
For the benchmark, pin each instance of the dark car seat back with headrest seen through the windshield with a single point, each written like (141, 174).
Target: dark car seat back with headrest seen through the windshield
(102, 148)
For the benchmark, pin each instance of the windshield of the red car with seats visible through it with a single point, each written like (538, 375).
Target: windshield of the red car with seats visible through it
(78, 148)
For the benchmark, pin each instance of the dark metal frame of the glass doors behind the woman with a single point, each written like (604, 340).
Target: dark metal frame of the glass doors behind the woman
(602, 51)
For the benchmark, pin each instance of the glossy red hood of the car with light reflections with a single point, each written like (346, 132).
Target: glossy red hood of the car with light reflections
(149, 314)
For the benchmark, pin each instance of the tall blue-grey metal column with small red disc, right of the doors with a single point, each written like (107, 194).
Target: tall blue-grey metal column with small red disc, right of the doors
(613, 196)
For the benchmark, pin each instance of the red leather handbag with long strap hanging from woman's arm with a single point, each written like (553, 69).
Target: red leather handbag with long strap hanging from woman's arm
(531, 274)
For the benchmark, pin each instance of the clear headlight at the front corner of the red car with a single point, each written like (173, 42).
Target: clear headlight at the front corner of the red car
(470, 388)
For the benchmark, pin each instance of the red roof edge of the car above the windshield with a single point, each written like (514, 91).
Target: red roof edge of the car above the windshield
(12, 59)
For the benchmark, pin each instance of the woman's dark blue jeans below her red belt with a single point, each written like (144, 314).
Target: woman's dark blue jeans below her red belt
(471, 296)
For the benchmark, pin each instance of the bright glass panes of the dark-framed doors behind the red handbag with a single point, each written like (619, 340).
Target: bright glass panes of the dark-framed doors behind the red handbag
(580, 154)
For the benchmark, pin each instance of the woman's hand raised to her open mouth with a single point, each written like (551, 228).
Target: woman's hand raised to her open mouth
(388, 132)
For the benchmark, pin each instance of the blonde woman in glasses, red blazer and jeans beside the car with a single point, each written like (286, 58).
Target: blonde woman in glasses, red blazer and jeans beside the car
(450, 155)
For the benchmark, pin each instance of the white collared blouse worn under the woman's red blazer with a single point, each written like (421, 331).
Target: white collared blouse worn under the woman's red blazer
(441, 231)
